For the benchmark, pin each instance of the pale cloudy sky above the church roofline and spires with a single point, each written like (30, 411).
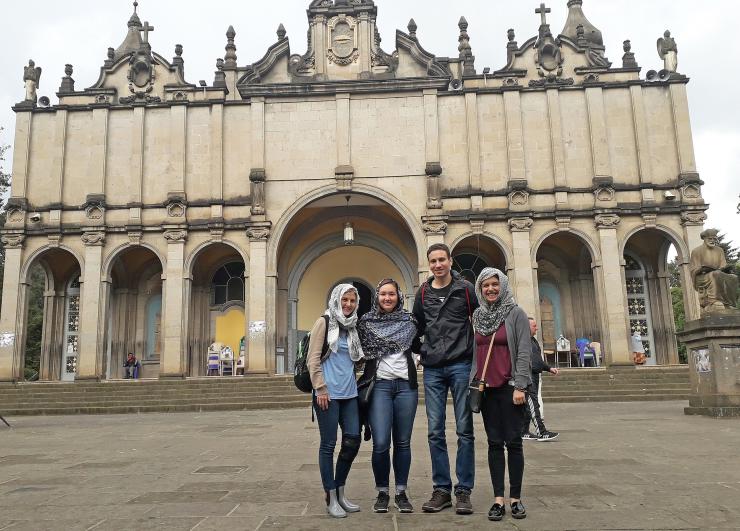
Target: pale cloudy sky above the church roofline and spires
(80, 31)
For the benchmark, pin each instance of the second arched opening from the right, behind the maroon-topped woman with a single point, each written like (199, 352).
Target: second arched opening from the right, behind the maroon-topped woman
(567, 291)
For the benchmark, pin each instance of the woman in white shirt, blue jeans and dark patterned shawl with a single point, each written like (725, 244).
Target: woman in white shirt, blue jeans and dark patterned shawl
(387, 333)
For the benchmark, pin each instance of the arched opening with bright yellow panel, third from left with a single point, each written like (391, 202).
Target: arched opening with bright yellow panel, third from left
(218, 299)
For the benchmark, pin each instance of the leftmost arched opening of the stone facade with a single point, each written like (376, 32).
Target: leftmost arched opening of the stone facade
(61, 313)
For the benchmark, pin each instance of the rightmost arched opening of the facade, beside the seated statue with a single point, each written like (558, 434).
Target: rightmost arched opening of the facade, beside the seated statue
(648, 291)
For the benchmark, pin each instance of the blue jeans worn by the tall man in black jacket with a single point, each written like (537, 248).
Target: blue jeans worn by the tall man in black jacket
(437, 381)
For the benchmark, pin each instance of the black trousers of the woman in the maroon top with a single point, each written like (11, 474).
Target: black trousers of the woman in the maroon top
(503, 422)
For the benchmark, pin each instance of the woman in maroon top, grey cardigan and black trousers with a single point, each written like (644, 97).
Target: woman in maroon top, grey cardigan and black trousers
(502, 329)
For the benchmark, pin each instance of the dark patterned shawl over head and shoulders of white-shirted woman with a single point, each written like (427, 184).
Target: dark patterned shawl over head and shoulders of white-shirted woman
(383, 333)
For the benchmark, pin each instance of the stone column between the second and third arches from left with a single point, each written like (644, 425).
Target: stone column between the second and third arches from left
(173, 351)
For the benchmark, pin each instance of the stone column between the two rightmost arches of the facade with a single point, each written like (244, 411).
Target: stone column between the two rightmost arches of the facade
(613, 301)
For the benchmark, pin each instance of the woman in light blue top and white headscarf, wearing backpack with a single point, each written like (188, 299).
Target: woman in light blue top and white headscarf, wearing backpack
(333, 350)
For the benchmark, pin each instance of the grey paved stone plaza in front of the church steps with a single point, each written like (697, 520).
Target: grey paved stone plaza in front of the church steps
(615, 466)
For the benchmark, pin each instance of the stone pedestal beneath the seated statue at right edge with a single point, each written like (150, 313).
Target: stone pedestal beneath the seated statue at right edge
(713, 344)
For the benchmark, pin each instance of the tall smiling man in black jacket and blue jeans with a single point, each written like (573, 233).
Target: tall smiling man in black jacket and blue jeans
(443, 307)
